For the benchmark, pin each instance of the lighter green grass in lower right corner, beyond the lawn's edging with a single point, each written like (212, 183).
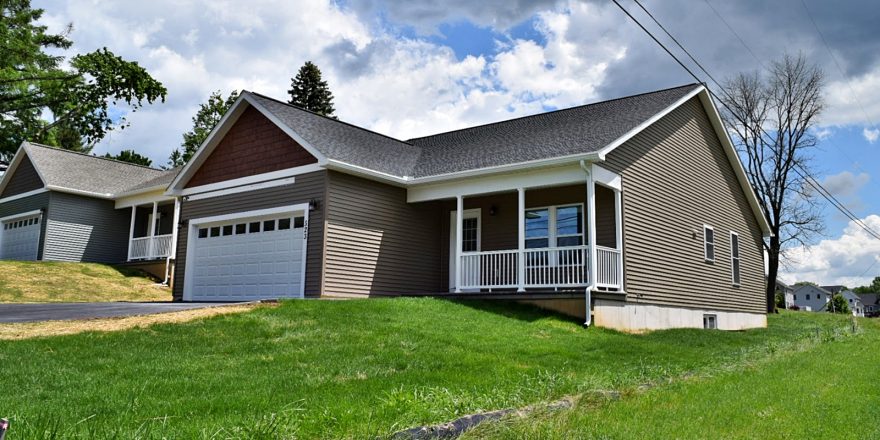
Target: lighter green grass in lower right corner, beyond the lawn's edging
(828, 391)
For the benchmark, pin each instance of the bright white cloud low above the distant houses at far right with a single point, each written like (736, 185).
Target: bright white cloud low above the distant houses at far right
(839, 261)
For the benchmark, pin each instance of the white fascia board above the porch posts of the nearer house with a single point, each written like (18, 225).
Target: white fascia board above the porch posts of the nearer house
(537, 178)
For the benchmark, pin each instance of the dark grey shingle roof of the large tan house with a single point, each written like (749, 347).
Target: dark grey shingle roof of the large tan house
(579, 130)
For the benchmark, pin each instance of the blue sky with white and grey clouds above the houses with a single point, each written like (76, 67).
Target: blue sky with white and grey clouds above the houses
(408, 68)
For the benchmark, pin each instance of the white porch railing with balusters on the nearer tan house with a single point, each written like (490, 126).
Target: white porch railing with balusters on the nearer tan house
(544, 268)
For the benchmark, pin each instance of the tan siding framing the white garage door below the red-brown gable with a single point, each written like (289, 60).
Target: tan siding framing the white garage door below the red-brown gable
(305, 188)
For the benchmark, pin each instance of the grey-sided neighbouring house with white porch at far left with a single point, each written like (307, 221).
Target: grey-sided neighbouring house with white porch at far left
(58, 205)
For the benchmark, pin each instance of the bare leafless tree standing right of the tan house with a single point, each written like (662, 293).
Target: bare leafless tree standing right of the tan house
(770, 118)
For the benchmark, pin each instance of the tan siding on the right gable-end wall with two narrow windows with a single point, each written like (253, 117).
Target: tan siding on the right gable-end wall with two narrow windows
(676, 177)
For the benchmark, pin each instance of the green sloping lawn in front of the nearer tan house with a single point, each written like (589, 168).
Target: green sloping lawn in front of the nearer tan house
(351, 369)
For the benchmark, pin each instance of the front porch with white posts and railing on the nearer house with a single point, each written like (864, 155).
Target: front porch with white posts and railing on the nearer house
(556, 238)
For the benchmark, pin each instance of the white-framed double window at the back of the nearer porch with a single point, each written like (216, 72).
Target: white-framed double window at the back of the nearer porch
(554, 226)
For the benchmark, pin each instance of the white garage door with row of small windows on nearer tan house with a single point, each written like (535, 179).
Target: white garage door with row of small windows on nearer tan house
(248, 259)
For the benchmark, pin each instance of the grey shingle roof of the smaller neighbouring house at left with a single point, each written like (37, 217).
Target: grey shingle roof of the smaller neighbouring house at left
(82, 172)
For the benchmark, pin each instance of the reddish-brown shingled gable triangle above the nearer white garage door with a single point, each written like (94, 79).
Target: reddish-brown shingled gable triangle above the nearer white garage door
(254, 145)
